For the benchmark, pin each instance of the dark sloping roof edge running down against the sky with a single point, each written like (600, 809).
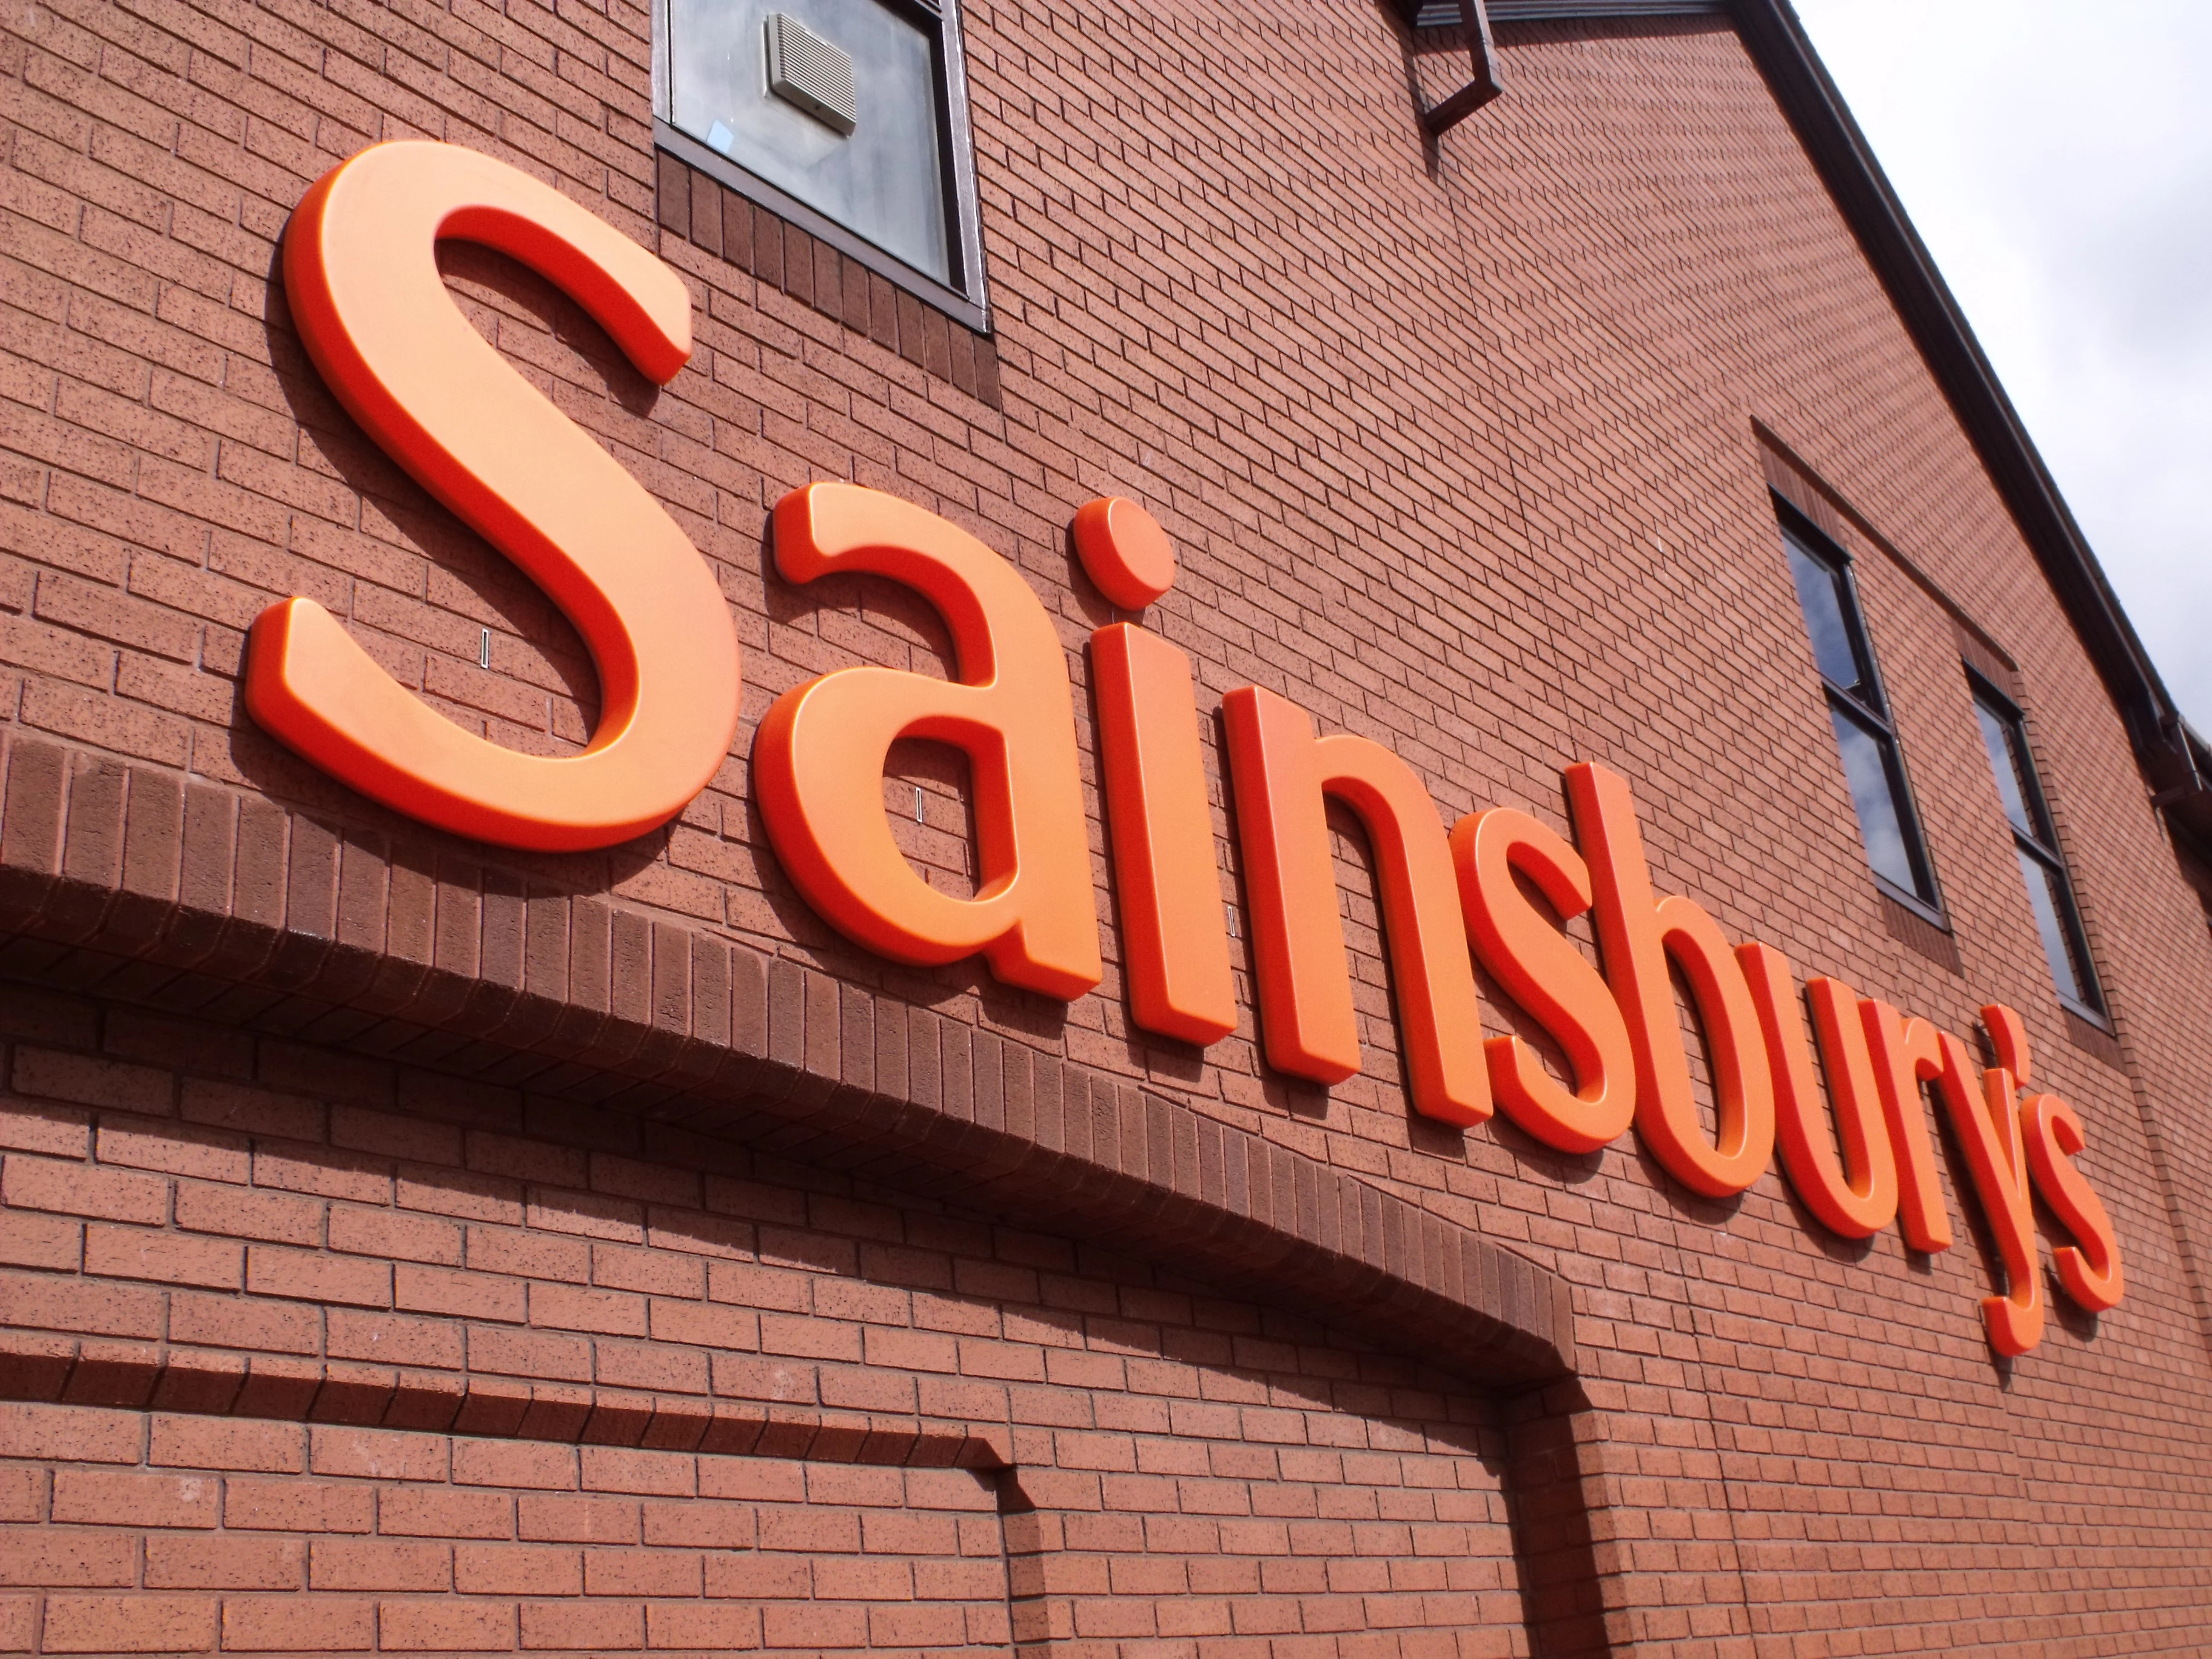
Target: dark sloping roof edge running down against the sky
(2173, 758)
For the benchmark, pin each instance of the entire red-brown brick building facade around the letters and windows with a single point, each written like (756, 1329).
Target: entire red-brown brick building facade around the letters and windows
(417, 1244)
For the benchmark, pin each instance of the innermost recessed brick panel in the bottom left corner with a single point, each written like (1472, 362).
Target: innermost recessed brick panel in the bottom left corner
(379, 1550)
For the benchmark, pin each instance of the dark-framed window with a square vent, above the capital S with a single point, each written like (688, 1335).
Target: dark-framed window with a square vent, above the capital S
(842, 116)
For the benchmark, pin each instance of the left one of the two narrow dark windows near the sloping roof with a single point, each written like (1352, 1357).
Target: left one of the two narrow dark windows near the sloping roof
(1872, 764)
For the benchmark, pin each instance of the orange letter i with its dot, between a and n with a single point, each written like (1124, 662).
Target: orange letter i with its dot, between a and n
(1169, 888)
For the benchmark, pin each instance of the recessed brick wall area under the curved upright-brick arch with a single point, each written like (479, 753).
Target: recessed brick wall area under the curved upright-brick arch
(640, 1390)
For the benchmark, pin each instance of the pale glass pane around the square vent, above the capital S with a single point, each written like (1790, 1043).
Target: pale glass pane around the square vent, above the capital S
(884, 180)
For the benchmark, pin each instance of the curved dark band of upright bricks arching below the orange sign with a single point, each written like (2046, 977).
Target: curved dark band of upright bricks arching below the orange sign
(143, 886)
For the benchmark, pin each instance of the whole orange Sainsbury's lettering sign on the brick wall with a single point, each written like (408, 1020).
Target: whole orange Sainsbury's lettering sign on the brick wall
(379, 324)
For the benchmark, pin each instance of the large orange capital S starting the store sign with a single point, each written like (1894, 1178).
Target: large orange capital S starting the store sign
(362, 275)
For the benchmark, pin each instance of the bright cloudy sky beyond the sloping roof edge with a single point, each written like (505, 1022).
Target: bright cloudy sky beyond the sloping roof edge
(2056, 156)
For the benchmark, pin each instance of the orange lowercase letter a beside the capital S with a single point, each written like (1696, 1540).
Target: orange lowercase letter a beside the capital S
(817, 762)
